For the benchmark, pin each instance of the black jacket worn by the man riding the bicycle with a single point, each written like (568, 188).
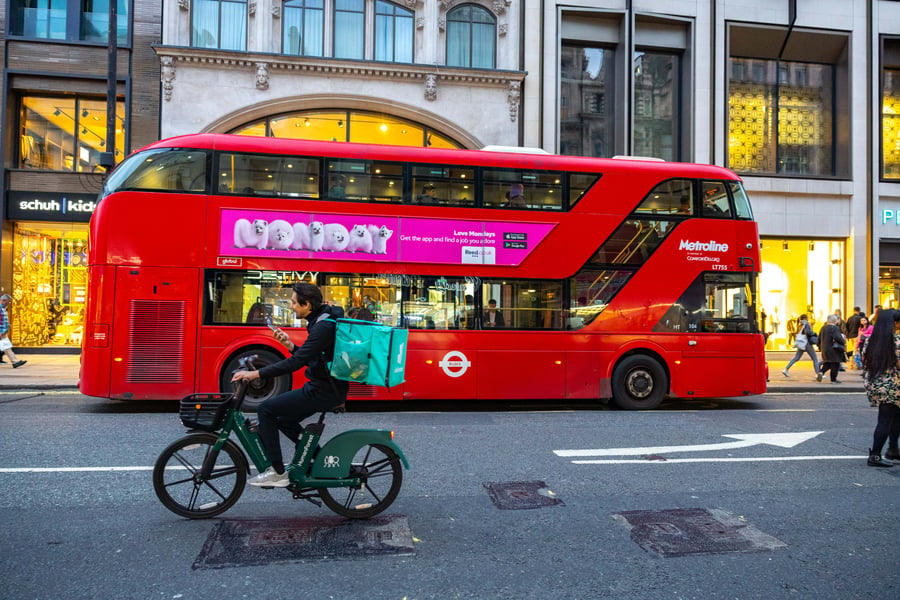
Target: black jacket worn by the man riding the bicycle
(319, 341)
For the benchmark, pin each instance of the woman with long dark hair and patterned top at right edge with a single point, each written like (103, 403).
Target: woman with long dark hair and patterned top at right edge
(881, 374)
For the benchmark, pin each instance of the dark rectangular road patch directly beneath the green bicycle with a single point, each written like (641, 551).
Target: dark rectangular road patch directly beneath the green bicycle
(246, 542)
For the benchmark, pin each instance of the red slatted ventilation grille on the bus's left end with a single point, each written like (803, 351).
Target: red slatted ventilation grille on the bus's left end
(156, 343)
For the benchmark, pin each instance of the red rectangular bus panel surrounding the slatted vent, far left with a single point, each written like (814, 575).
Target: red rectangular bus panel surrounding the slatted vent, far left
(154, 333)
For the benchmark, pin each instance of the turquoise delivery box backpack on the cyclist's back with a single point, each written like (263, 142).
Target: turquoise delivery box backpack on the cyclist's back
(370, 353)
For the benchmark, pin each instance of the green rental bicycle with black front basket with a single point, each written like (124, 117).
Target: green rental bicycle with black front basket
(357, 473)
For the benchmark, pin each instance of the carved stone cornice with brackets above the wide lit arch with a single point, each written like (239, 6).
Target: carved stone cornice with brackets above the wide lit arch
(259, 67)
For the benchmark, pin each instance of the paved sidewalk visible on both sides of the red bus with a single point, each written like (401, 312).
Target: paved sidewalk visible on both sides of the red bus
(60, 372)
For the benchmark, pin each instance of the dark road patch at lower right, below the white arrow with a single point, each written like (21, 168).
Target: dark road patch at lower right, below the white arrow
(684, 531)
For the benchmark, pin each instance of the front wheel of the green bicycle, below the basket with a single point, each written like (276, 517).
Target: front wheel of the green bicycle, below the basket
(182, 489)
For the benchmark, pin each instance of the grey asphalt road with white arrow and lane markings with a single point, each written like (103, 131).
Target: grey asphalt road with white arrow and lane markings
(687, 502)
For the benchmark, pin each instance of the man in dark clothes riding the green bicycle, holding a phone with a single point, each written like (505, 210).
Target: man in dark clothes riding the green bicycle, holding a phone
(285, 411)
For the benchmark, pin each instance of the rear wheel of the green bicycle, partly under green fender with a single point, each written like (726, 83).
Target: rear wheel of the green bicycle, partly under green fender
(381, 475)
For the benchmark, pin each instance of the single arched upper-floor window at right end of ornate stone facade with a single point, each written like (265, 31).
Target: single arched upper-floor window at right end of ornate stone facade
(471, 37)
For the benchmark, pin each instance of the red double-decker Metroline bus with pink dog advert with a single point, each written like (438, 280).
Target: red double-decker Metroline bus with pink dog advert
(518, 275)
